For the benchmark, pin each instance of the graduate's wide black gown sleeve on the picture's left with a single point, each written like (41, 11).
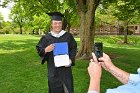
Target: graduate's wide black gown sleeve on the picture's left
(41, 49)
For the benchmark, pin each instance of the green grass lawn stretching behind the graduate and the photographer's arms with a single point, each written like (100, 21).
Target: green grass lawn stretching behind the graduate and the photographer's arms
(21, 71)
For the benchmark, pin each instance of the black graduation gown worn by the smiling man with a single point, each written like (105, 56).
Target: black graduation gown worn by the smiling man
(58, 76)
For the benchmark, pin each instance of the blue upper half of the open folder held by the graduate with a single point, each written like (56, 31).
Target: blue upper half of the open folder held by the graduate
(60, 48)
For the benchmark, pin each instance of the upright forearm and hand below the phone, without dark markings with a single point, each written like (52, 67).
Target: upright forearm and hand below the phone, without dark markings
(95, 72)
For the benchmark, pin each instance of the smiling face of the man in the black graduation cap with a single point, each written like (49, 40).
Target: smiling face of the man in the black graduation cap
(56, 26)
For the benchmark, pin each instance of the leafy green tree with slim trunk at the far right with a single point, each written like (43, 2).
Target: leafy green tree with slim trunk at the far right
(124, 11)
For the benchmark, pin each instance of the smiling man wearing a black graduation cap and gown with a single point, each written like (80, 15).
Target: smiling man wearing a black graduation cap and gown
(60, 79)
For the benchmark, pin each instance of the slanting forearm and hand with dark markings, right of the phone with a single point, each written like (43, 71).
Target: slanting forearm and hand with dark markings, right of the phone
(107, 64)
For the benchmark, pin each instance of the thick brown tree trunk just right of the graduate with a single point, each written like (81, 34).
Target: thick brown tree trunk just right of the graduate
(87, 28)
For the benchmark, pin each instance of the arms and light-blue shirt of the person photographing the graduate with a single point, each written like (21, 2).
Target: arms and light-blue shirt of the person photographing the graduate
(131, 82)
